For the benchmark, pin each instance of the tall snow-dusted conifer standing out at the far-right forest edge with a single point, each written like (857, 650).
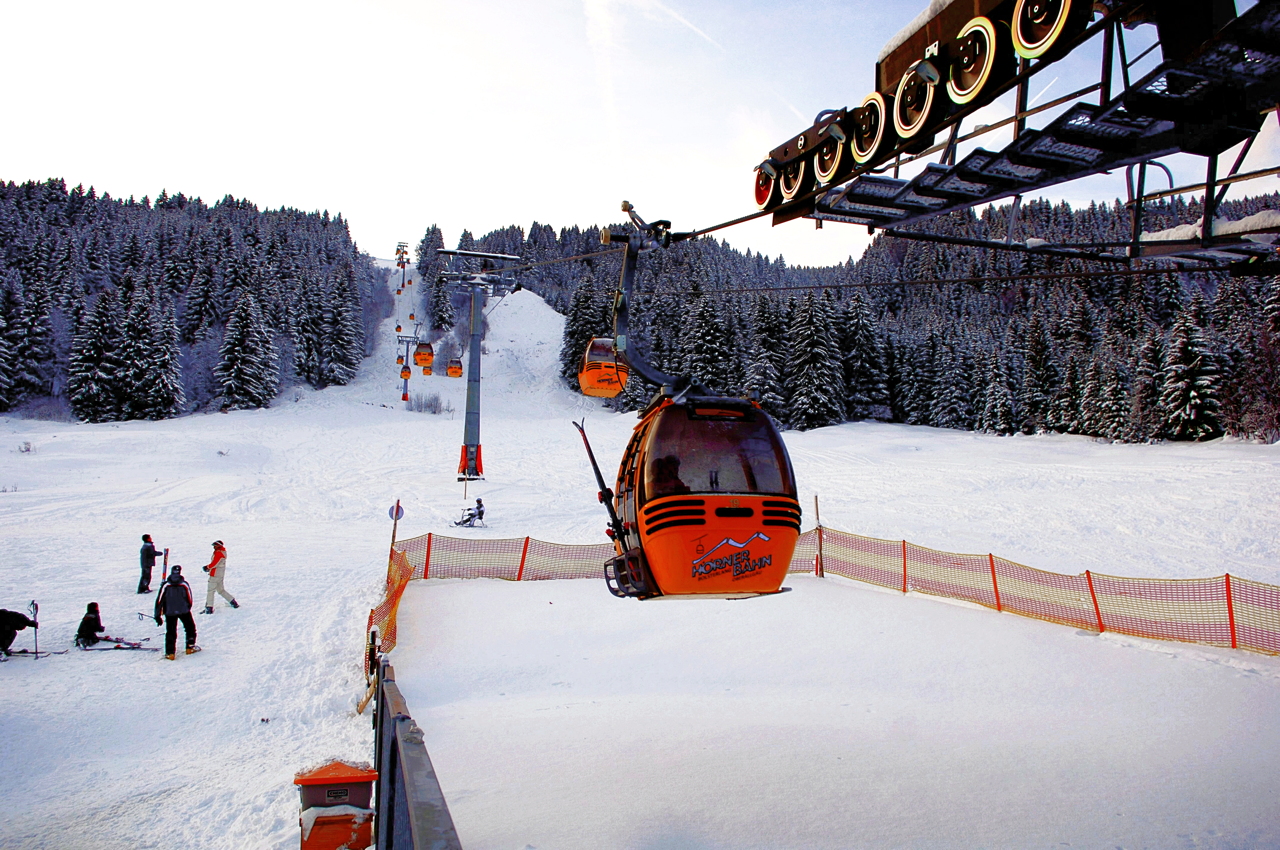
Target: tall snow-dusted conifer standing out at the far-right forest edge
(1190, 395)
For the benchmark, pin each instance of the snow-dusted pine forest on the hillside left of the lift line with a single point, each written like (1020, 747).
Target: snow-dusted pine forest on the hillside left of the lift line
(147, 310)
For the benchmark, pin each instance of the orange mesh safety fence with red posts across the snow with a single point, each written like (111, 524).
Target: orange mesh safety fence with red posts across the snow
(1223, 613)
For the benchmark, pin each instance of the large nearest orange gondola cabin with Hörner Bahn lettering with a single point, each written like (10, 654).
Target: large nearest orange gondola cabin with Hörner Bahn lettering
(710, 487)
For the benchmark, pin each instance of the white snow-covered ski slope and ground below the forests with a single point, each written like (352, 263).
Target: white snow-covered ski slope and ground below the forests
(834, 716)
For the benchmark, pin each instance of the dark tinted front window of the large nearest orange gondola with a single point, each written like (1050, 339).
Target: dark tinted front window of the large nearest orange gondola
(691, 454)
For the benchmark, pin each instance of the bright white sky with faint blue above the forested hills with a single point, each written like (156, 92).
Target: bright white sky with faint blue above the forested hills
(406, 113)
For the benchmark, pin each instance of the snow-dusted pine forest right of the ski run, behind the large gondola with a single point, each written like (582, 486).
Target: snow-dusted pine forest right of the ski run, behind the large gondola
(1167, 357)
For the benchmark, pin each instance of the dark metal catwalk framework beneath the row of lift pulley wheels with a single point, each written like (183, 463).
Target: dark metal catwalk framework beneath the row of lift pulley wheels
(1204, 102)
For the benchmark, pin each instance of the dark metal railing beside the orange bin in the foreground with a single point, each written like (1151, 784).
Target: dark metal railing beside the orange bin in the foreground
(412, 812)
